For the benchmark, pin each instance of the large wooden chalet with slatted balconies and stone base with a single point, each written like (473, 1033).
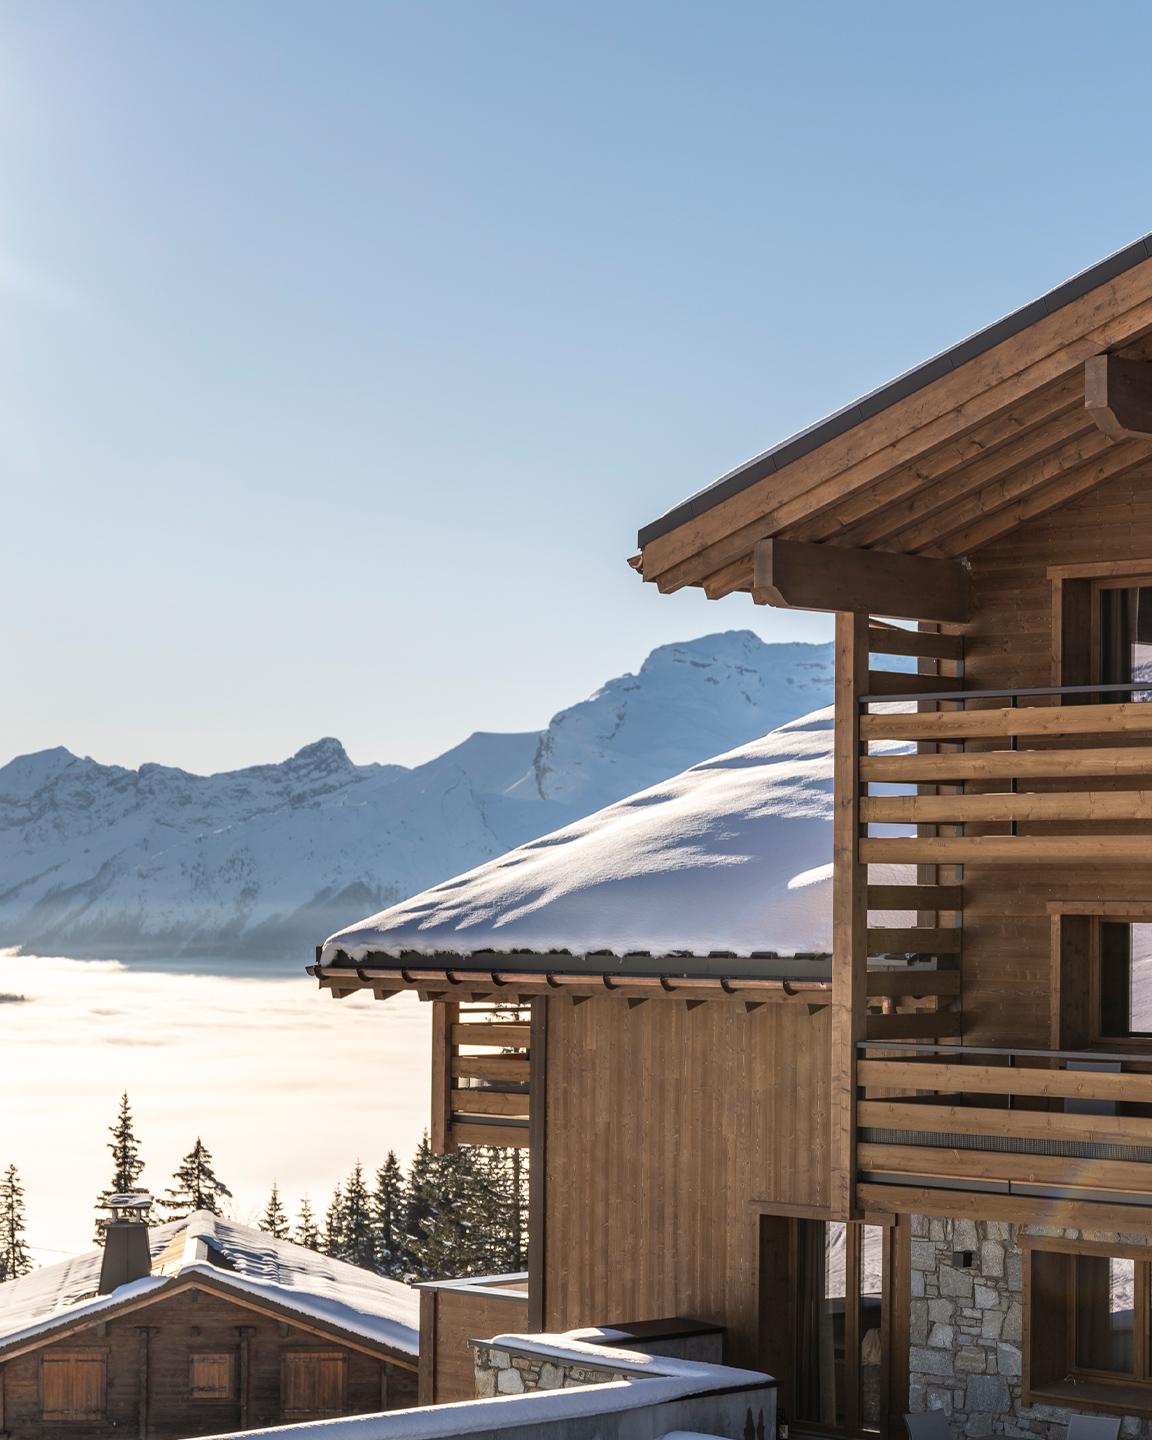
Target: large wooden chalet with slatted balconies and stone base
(921, 1187)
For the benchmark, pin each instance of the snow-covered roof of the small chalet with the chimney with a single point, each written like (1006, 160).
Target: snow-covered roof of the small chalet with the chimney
(243, 1259)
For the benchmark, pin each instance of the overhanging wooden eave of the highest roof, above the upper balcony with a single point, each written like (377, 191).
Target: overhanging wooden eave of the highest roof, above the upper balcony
(948, 460)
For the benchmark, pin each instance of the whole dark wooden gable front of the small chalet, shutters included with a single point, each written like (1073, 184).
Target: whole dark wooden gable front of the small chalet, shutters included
(192, 1363)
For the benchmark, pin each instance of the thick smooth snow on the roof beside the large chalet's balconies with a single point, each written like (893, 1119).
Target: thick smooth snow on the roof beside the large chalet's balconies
(729, 858)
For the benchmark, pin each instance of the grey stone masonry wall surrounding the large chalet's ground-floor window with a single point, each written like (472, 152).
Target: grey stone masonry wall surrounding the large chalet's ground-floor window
(967, 1328)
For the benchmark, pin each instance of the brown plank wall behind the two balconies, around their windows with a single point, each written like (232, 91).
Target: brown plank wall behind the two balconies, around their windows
(1007, 931)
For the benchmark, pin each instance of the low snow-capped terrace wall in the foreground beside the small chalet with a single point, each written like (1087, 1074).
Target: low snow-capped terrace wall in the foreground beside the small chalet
(654, 1398)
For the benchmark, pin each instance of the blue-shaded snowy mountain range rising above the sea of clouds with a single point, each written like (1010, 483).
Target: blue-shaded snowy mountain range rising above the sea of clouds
(97, 860)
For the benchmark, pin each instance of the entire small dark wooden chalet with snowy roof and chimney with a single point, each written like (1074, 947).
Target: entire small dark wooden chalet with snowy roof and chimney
(195, 1328)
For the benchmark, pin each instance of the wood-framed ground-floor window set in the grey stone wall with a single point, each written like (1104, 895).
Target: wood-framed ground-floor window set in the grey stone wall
(1088, 1320)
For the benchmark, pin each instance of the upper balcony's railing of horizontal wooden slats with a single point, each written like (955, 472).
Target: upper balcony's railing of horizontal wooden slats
(1048, 777)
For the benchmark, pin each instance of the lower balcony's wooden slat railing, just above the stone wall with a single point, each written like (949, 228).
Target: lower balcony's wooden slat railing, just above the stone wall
(1045, 1124)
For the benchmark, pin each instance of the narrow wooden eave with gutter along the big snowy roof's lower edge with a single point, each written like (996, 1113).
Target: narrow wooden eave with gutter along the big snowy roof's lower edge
(433, 981)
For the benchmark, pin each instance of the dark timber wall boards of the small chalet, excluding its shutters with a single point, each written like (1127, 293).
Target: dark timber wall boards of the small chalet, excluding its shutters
(188, 1326)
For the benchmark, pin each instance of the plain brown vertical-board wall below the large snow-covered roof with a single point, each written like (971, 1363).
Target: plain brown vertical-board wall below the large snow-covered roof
(666, 1127)
